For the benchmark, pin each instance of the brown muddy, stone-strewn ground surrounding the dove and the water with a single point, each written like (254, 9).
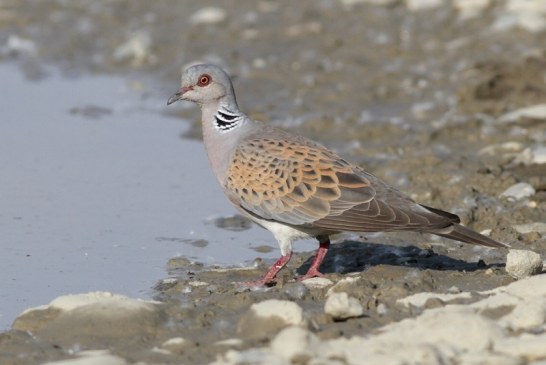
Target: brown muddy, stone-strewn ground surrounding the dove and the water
(419, 92)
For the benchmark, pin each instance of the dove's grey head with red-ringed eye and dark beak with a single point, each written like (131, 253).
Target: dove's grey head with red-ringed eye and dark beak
(204, 84)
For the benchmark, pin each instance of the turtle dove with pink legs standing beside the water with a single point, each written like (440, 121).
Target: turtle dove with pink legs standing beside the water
(297, 188)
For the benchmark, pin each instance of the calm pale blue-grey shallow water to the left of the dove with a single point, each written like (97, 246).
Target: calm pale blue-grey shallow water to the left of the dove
(98, 191)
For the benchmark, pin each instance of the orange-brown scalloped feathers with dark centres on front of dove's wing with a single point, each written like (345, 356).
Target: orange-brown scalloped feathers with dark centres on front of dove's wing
(291, 180)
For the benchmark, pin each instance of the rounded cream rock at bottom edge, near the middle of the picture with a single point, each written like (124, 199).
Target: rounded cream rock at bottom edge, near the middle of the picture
(295, 341)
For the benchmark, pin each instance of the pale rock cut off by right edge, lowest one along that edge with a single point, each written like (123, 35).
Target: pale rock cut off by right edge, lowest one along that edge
(527, 315)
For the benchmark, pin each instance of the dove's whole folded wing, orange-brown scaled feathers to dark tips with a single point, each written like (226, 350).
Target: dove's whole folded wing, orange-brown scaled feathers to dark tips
(292, 180)
